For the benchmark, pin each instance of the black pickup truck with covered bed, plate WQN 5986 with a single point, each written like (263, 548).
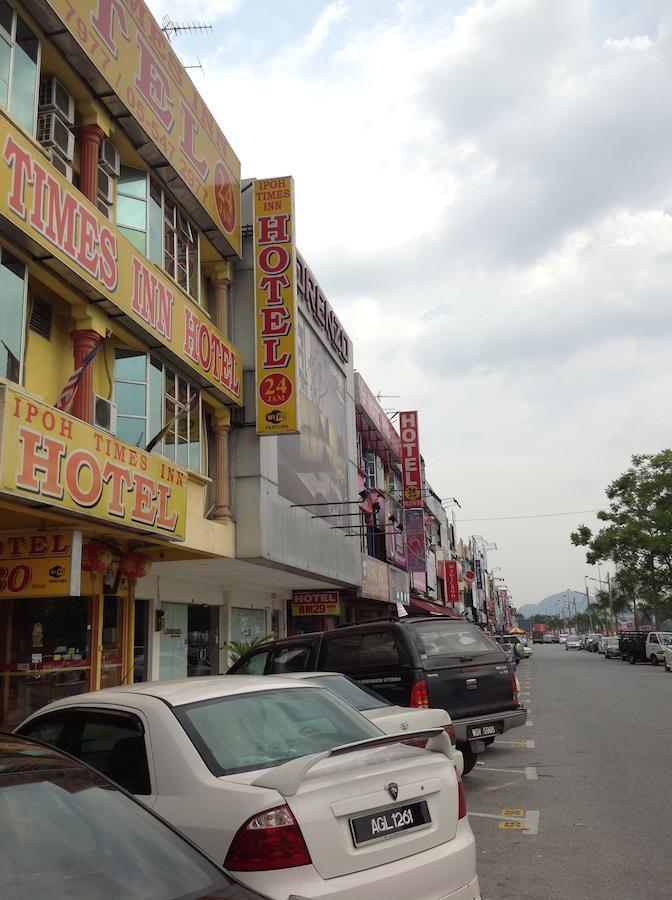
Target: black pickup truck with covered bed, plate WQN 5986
(438, 662)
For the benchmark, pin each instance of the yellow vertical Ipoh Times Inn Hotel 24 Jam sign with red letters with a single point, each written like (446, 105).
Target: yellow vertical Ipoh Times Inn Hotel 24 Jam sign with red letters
(275, 306)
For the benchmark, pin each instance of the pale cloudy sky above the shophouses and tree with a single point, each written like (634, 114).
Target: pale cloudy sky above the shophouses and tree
(484, 191)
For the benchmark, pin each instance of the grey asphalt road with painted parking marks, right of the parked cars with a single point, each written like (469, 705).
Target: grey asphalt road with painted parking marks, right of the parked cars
(578, 804)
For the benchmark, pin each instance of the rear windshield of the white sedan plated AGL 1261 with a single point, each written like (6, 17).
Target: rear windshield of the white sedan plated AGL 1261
(265, 728)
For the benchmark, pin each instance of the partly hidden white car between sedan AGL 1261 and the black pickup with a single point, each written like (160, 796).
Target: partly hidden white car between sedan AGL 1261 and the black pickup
(389, 718)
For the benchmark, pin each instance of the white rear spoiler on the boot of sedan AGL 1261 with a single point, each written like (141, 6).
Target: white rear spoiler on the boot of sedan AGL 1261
(288, 777)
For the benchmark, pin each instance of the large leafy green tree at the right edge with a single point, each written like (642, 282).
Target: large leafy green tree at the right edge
(637, 535)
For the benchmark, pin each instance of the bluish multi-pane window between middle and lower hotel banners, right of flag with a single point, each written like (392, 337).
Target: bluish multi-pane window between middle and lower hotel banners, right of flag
(149, 395)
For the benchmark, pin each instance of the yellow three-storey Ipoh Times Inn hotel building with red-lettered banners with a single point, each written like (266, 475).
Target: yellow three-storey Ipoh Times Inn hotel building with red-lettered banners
(119, 227)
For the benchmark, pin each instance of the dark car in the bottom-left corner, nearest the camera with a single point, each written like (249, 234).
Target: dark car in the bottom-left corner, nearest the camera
(68, 832)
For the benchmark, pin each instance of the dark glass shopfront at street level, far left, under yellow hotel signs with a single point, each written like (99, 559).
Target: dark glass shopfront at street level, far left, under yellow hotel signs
(44, 653)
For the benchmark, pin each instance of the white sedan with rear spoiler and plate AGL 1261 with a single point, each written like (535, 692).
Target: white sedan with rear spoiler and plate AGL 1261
(282, 782)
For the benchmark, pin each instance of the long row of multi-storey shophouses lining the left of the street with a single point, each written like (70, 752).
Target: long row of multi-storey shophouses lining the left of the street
(145, 525)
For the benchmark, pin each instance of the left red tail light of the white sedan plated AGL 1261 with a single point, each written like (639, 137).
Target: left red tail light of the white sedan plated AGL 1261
(269, 840)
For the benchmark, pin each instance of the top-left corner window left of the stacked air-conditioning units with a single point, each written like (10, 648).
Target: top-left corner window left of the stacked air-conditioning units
(19, 65)
